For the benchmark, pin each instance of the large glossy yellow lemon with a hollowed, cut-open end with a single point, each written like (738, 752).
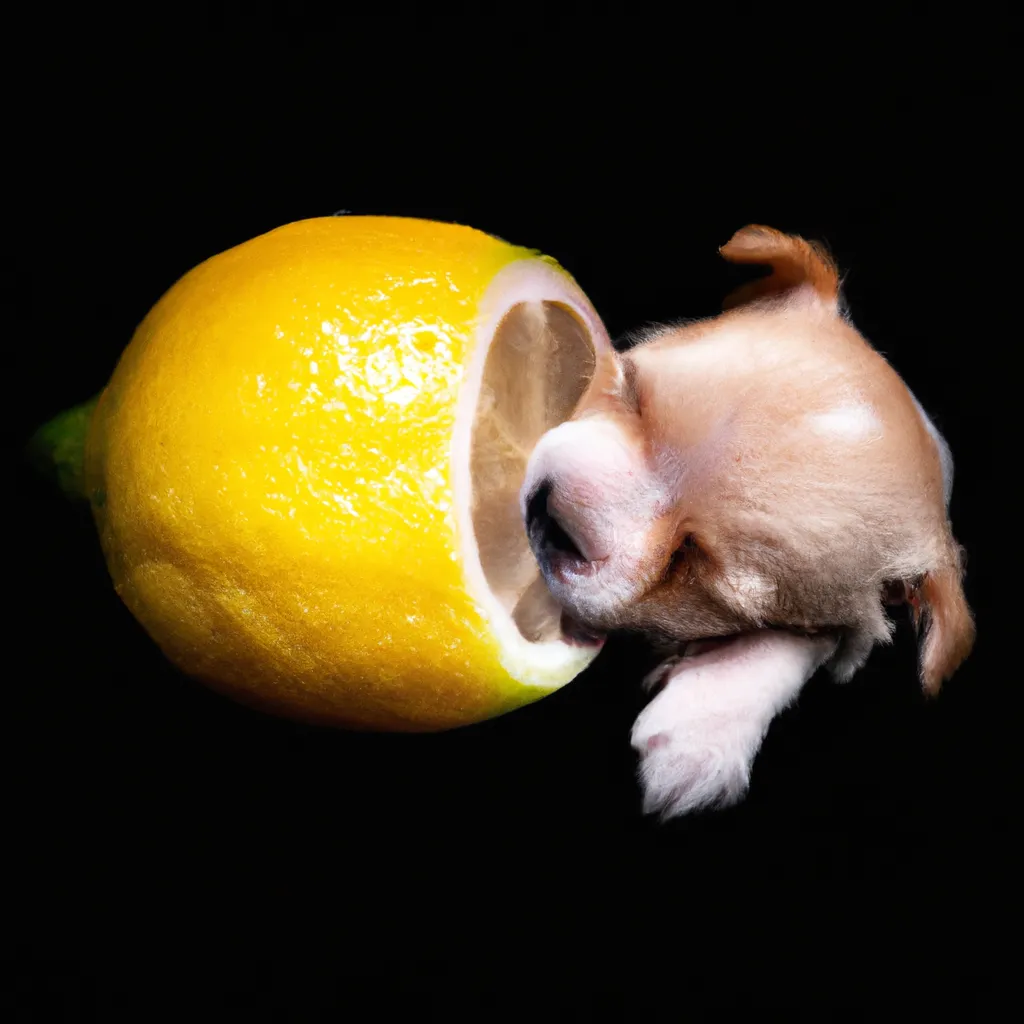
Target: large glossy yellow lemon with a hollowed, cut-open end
(306, 470)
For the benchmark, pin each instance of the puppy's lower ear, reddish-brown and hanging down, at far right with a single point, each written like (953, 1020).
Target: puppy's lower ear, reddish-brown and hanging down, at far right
(945, 624)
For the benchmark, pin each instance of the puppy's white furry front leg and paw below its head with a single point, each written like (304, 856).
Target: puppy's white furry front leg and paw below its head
(699, 738)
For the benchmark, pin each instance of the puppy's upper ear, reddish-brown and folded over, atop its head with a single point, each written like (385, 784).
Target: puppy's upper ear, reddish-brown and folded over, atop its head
(796, 265)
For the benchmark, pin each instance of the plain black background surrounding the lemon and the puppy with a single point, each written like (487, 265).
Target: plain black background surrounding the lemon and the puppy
(175, 854)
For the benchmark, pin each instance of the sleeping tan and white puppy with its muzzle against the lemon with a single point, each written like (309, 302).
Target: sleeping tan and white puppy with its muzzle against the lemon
(750, 492)
